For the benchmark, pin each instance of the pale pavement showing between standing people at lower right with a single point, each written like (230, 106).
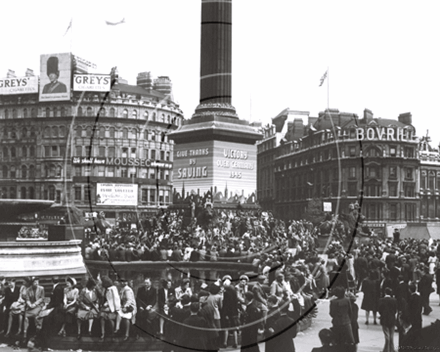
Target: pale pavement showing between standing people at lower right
(371, 336)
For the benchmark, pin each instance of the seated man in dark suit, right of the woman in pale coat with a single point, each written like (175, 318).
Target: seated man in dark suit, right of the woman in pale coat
(146, 300)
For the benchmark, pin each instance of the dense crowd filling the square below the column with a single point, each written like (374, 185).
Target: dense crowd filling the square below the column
(289, 274)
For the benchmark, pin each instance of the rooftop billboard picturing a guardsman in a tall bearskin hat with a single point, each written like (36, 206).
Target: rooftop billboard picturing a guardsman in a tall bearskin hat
(55, 75)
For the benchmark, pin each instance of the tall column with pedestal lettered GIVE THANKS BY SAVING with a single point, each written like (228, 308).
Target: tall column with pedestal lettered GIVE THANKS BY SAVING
(215, 150)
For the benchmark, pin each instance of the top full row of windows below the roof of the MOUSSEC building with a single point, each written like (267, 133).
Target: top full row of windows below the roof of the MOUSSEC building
(89, 111)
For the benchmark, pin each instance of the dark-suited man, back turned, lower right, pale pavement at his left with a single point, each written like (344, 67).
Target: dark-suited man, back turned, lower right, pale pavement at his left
(387, 311)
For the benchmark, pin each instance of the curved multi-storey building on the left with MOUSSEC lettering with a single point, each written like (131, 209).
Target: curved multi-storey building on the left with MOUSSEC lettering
(104, 151)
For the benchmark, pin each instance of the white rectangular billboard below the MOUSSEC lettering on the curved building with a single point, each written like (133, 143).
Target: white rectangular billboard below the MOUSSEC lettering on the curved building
(116, 194)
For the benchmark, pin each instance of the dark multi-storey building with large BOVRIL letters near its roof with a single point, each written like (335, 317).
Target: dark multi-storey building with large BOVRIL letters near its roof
(340, 159)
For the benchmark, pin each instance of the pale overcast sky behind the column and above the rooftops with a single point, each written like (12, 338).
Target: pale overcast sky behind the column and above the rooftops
(381, 55)
